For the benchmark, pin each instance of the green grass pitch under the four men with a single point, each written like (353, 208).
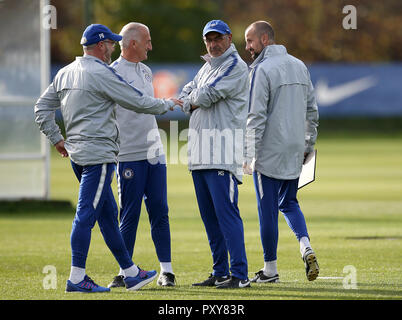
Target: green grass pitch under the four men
(353, 212)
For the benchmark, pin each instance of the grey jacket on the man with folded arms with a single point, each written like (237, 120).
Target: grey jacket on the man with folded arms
(217, 127)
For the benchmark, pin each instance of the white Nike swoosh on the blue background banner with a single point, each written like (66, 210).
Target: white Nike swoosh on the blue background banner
(328, 96)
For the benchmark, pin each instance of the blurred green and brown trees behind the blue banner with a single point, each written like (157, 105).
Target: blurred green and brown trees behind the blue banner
(310, 29)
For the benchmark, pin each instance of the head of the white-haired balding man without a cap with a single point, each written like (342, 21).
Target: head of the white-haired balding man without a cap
(136, 42)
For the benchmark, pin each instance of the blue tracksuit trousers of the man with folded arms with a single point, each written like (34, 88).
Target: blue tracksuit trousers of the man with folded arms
(217, 197)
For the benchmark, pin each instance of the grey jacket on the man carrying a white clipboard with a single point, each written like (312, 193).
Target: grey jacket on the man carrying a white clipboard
(283, 116)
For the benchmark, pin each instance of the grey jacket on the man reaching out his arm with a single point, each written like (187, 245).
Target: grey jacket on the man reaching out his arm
(87, 91)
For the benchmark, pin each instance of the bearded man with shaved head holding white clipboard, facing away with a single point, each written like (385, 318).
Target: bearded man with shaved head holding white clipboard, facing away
(281, 131)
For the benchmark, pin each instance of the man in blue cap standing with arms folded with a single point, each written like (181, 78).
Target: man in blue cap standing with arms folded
(217, 99)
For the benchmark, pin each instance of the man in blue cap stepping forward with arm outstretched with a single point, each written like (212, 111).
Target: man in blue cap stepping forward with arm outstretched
(86, 91)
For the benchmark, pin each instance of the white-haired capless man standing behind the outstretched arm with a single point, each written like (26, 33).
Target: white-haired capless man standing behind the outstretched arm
(142, 164)
